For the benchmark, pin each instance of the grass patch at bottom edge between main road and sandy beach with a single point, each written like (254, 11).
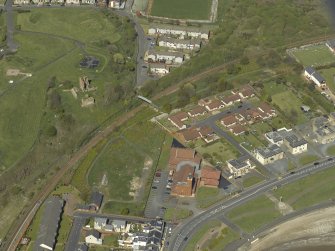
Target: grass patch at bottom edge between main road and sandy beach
(219, 242)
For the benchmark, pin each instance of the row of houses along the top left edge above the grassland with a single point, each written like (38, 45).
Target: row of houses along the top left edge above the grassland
(115, 4)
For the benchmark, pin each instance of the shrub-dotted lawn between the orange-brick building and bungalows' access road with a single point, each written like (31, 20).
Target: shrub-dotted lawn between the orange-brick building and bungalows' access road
(218, 151)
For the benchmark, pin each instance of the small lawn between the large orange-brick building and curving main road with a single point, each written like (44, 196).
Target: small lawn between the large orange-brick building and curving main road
(207, 196)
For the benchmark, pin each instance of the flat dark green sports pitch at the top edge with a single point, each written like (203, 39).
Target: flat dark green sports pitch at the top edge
(186, 9)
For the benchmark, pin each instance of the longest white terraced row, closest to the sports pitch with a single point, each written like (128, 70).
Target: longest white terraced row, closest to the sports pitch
(179, 31)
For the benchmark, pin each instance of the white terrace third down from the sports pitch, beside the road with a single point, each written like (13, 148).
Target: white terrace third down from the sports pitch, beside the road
(165, 57)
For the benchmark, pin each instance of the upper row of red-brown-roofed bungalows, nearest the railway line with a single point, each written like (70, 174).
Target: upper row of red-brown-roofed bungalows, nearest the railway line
(209, 105)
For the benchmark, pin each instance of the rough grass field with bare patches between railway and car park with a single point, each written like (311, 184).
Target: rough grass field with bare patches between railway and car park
(128, 161)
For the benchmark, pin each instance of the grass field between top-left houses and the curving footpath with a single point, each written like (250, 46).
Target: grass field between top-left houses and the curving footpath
(71, 23)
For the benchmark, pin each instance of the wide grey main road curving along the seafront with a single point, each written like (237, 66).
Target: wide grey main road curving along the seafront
(183, 232)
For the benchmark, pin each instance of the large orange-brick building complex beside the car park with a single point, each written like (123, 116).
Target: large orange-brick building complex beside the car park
(186, 172)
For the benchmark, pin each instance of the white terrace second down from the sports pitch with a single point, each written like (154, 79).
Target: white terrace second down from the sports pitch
(189, 44)
